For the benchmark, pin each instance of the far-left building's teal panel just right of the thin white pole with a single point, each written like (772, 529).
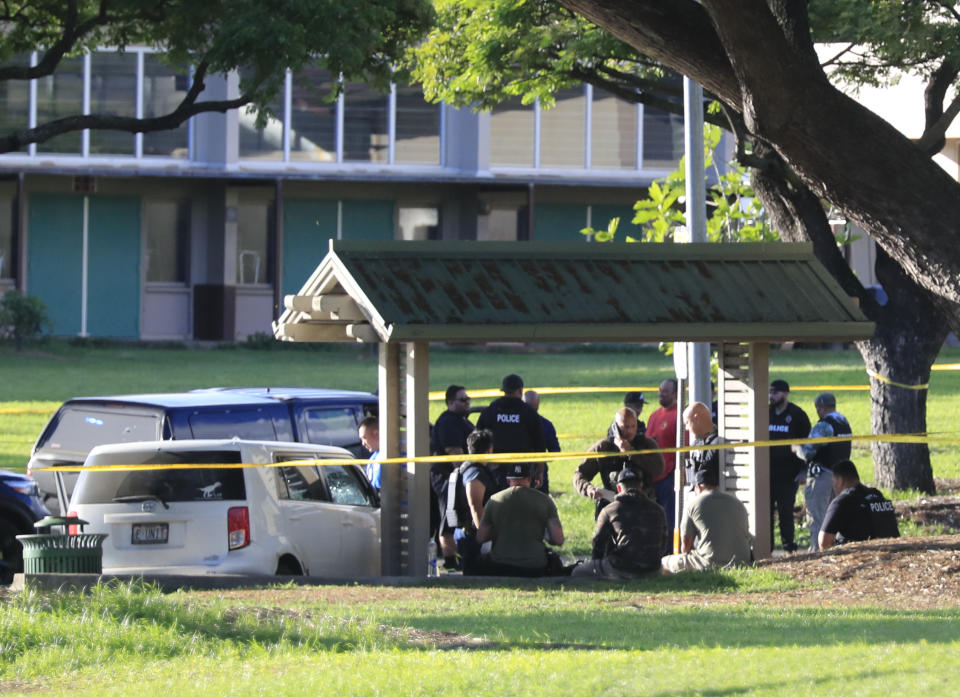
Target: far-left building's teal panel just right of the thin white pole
(113, 267)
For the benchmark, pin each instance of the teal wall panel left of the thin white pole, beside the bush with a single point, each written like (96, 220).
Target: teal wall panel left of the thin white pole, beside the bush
(55, 249)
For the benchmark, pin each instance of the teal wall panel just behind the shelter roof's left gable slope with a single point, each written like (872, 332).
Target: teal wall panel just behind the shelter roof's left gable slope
(308, 224)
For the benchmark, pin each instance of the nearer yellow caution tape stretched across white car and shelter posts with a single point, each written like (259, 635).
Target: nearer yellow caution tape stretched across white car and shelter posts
(520, 457)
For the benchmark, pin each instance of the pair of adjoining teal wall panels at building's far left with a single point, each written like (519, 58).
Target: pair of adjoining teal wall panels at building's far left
(55, 262)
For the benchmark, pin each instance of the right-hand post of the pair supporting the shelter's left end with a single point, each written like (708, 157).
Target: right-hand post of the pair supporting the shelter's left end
(418, 443)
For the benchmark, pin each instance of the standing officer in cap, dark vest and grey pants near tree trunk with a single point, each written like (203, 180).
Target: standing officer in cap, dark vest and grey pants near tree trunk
(821, 458)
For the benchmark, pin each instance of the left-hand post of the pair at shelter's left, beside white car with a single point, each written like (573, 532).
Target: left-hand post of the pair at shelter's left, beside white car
(391, 482)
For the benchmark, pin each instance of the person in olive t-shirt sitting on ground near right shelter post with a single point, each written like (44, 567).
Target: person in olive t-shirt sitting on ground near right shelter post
(718, 521)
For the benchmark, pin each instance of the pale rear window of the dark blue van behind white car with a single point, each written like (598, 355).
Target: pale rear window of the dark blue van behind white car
(79, 429)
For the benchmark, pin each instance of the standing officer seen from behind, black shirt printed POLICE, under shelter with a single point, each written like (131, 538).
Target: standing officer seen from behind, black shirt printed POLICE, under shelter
(516, 427)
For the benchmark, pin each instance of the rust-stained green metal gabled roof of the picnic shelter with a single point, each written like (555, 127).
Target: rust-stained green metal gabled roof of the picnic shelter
(528, 291)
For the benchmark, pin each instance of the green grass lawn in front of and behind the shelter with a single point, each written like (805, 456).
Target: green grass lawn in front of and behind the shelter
(686, 635)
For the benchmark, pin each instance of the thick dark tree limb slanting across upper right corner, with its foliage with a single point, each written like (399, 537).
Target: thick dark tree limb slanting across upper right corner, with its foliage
(758, 58)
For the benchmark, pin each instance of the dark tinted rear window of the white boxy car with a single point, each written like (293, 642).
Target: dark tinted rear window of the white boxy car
(168, 485)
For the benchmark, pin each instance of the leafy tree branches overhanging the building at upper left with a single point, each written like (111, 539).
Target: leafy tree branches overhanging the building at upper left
(361, 40)
